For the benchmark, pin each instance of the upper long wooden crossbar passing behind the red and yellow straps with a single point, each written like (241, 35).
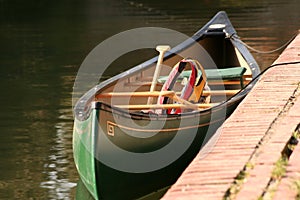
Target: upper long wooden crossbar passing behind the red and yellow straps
(163, 93)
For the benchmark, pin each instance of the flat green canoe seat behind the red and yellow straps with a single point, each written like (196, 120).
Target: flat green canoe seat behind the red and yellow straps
(232, 73)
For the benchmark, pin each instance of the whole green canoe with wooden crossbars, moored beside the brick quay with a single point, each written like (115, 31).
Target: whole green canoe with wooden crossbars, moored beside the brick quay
(135, 133)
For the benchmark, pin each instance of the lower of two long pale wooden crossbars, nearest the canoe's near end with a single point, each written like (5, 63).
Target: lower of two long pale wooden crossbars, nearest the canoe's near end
(162, 106)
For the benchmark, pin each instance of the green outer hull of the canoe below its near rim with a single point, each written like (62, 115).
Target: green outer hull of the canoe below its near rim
(105, 179)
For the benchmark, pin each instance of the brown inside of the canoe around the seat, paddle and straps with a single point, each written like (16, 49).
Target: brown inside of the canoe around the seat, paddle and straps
(219, 53)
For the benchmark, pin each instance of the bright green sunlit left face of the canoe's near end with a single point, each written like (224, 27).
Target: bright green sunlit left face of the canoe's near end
(83, 148)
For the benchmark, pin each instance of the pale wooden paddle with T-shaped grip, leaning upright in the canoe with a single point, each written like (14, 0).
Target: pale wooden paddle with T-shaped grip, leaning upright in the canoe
(161, 49)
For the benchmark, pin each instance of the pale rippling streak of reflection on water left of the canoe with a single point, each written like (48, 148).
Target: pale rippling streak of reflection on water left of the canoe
(60, 177)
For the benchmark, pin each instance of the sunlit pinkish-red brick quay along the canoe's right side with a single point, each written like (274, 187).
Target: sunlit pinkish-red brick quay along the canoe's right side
(255, 153)
